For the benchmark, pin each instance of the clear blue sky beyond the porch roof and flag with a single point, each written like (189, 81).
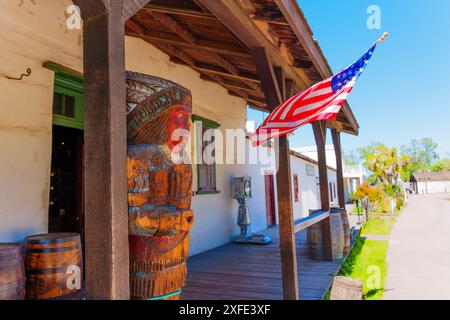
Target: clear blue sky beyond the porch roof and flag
(404, 93)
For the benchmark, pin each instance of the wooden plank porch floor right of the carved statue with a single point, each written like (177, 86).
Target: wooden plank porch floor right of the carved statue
(252, 272)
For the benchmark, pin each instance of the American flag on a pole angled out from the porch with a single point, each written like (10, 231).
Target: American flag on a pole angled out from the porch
(322, 101)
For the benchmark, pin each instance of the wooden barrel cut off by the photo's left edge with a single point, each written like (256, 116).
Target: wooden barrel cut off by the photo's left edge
(12, 273)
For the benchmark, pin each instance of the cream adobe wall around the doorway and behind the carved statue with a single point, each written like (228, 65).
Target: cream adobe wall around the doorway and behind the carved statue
(34, 32)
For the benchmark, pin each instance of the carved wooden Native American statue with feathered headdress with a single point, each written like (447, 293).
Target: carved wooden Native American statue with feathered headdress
(159, 186)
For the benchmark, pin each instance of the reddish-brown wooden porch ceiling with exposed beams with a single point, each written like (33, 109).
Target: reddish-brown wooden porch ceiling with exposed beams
(193, 36)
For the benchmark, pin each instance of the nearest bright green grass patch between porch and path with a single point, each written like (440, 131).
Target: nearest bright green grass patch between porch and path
(365, 262)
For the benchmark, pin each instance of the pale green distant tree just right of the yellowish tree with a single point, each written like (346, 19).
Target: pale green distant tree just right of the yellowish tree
(422, 154)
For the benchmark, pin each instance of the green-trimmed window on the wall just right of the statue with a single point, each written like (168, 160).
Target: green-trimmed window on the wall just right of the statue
(206, 171)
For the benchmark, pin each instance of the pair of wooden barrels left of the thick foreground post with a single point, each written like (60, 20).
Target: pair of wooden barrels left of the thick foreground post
(49, 268)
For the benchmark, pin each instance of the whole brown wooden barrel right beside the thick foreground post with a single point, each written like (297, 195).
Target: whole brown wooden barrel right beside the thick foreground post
(54, 267)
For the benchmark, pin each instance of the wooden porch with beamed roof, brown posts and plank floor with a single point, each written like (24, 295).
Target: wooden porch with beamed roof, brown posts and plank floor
(260, 50)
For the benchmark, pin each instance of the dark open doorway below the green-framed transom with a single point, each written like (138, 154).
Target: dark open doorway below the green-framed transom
(66, 210)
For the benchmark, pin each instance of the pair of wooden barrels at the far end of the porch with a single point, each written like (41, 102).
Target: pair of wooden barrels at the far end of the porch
(340, 236)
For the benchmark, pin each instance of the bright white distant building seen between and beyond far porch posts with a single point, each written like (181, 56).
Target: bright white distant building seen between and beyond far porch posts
(353, 175)
